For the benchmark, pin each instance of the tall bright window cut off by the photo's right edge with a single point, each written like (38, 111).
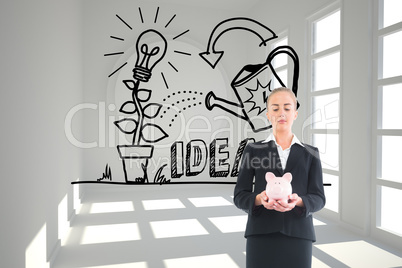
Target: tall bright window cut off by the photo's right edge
(388, 130)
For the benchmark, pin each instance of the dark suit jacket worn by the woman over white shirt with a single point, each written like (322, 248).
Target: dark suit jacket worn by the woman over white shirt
(305, 166)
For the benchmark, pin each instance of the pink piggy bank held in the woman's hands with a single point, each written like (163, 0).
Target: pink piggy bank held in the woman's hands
(278, 188)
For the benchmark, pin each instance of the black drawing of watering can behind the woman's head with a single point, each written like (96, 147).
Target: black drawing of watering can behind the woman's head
(252, 86)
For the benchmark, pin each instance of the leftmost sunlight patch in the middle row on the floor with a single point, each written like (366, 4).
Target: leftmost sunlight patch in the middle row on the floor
(110, 233)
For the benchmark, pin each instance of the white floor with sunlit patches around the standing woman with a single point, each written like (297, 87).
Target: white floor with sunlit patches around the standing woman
(176, 226)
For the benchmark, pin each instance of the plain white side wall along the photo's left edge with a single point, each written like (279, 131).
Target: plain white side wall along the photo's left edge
(41, 80)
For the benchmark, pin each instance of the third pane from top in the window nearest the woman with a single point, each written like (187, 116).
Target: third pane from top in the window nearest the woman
(326, 111)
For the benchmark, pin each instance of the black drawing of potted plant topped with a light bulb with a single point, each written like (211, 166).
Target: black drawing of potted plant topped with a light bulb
(151, 48)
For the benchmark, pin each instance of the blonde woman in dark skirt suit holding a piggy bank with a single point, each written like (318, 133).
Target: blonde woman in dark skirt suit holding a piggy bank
(280, 234)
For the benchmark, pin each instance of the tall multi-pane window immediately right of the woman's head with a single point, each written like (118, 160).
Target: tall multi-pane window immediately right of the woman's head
(324, 96)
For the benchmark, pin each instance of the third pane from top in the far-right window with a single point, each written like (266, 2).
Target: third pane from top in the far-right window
(391, 99)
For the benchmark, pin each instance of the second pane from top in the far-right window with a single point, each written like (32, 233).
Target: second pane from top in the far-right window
(392, 55)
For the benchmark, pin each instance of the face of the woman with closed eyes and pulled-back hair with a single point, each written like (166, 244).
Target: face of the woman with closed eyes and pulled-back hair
(281, 111)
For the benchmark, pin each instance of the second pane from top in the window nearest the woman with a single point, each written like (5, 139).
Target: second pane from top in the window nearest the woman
(326, 72)
